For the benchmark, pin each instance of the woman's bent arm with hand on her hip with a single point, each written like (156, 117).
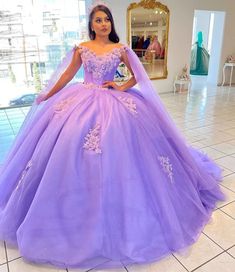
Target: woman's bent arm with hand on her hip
(130, 83)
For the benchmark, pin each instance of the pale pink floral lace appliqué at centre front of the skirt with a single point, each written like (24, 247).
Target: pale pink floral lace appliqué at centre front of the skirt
(92, 139)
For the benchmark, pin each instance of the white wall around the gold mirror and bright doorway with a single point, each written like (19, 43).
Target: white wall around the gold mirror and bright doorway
(180, 32)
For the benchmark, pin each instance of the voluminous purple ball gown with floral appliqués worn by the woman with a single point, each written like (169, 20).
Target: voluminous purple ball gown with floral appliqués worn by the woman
(99, 176)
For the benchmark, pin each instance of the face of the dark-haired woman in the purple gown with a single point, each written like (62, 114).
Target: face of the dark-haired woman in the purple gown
(101, 24)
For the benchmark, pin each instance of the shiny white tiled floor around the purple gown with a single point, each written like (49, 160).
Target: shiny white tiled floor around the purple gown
(207, 119)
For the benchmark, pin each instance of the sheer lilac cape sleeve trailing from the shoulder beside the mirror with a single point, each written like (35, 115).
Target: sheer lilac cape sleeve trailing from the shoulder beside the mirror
(175, 138)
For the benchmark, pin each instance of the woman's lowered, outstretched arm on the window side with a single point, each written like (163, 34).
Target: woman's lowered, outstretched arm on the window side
(68, 74)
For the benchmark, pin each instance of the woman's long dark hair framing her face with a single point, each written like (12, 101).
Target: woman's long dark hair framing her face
(112, 35)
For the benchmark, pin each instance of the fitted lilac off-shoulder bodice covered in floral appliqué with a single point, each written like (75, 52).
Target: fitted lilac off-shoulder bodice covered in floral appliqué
(99, 68)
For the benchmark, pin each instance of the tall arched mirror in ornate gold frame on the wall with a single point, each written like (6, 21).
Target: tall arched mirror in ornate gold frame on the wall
(147, 35)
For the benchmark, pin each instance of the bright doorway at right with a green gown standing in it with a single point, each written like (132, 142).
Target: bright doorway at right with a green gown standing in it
(211, 26)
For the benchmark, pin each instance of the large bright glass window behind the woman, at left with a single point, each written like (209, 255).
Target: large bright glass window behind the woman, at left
(34, 37)
